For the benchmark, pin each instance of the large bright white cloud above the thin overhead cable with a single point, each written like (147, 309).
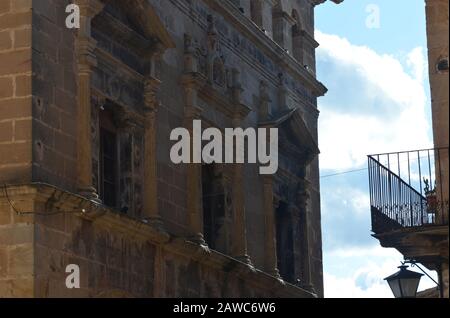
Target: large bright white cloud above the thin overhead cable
(374, 103)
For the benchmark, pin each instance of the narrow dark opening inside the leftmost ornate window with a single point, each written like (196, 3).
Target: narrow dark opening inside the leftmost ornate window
(108, 159)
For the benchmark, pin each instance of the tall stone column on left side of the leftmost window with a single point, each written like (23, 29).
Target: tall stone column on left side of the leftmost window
(85, 46)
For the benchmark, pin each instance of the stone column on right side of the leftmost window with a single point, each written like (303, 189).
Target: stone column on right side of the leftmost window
(151, 213)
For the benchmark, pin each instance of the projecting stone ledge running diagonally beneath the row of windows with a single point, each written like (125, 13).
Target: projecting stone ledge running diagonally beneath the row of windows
(55, 199)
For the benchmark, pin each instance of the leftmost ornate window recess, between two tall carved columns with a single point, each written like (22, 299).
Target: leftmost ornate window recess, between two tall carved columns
(117, 159)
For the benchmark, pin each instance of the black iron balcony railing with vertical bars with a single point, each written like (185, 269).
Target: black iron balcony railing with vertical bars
(408, 189)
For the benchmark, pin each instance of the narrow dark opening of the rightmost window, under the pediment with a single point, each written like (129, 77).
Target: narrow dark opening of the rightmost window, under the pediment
(285, 243)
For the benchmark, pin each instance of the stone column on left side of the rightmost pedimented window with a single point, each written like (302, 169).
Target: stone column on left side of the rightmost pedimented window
(270, 246)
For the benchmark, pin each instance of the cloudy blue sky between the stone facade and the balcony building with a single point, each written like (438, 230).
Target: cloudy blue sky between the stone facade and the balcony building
(378, 101)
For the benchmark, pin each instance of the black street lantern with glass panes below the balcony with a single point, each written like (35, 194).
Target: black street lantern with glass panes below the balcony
(404, 283)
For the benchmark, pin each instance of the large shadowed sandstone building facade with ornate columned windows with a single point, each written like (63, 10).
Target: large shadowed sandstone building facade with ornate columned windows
(85, 120)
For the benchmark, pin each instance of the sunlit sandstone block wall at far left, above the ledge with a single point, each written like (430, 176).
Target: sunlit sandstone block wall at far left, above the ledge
(15, 91)
